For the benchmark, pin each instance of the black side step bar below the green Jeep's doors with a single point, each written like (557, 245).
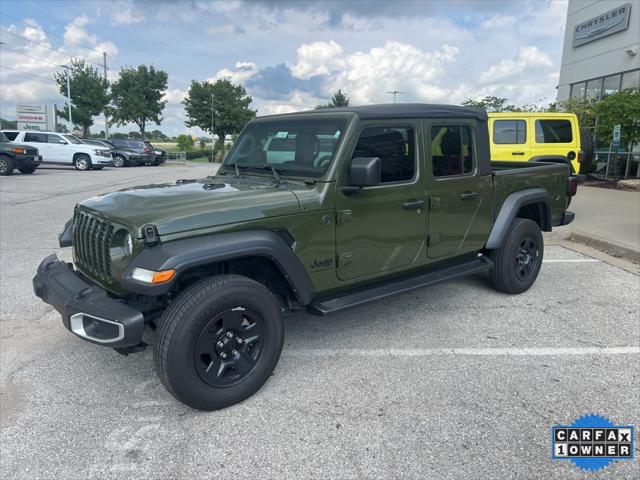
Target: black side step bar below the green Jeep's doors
(393, 287)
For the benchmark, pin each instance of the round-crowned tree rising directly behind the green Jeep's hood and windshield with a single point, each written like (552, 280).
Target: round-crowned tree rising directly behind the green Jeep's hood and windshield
(220, 108)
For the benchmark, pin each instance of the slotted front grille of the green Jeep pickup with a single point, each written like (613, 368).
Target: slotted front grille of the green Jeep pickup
(91, 244)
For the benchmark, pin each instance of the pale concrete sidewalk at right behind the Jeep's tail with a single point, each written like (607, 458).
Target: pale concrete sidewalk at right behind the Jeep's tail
(606, 219)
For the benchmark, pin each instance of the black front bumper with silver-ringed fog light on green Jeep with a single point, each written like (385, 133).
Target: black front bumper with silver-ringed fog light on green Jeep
(86, 309)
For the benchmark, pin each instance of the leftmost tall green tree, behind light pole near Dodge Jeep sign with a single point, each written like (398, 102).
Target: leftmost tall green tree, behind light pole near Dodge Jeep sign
(89, 93)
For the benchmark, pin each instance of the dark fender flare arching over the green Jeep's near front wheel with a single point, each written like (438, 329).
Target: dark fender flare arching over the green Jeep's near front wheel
(182, 255)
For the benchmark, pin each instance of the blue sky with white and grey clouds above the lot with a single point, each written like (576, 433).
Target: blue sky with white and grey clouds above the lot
(290, 55)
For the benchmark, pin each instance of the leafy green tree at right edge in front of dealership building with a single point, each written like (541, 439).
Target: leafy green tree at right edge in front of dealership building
(622, 108)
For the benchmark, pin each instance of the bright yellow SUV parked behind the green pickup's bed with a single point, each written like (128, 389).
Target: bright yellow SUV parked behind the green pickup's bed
(534, 136)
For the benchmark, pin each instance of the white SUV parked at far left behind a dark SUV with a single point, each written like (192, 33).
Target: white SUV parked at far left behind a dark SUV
(63, 148)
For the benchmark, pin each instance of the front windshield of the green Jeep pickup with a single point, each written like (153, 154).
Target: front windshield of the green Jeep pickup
(294, 147)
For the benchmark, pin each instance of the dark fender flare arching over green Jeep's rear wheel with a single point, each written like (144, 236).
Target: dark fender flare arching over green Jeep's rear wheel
(510, 208)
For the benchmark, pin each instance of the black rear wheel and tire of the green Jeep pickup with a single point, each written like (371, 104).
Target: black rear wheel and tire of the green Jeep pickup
(517, 262)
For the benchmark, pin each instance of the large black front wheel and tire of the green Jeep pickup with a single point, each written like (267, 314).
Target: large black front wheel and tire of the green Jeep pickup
(219, 342)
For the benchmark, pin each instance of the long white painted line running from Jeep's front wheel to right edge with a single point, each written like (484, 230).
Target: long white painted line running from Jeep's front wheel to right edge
(491, 351)
